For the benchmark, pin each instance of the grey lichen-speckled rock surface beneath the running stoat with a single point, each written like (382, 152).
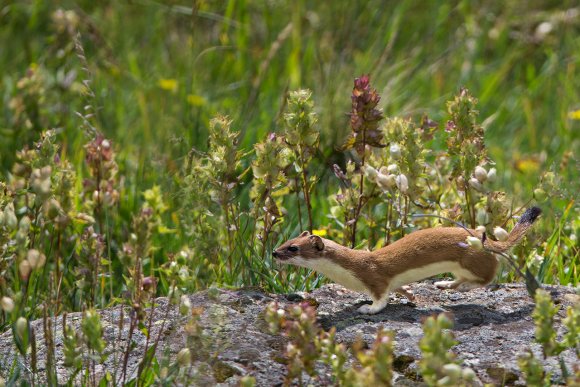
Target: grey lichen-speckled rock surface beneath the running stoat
(492, 326)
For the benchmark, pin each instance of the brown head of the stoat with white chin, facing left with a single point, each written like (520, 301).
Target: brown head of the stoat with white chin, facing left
(300, 250)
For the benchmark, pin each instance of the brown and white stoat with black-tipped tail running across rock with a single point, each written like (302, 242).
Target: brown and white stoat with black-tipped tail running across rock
(417, 256)
